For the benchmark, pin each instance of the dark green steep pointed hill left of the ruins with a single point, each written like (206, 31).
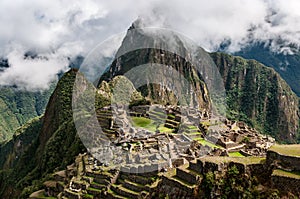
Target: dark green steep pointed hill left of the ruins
(42, 145)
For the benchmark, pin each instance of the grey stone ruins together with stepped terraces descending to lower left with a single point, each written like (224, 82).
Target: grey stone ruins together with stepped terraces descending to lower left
(138, 162)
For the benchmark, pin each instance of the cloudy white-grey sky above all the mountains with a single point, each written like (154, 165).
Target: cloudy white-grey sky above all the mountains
(59, 29)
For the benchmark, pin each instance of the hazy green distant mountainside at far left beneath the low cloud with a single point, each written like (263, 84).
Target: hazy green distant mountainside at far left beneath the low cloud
(19, 105)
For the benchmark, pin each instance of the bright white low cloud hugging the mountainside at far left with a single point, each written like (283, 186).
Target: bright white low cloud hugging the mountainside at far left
(32, 74)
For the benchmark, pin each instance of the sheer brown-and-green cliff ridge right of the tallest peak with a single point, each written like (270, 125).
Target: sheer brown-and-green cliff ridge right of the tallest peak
(258, 95)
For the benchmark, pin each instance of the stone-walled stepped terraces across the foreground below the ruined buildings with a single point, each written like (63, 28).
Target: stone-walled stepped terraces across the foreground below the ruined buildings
(84, 179)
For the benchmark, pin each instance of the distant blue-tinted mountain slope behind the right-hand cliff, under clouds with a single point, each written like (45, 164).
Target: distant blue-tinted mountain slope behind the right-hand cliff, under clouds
(287, 65)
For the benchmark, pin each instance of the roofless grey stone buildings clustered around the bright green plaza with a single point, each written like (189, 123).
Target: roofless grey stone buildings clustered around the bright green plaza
(133, 145)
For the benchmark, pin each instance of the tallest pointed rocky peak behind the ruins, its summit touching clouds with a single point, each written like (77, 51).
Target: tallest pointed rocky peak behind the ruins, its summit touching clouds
(161, 71)
